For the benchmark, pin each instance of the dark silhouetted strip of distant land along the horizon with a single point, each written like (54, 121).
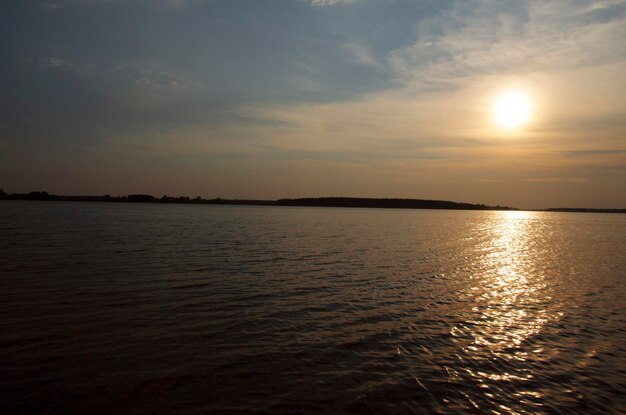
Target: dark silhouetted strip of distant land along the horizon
(353, 202)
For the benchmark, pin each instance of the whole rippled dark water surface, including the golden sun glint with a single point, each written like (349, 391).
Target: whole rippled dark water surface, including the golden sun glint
(143, 309)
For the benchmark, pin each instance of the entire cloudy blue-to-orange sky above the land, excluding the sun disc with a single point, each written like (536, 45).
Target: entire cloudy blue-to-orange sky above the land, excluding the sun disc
(267, 99)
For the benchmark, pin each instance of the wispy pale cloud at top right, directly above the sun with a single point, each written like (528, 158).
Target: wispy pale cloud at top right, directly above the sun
(485, 38)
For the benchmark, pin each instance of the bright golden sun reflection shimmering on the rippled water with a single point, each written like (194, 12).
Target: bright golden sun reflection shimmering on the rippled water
(510, 303)
